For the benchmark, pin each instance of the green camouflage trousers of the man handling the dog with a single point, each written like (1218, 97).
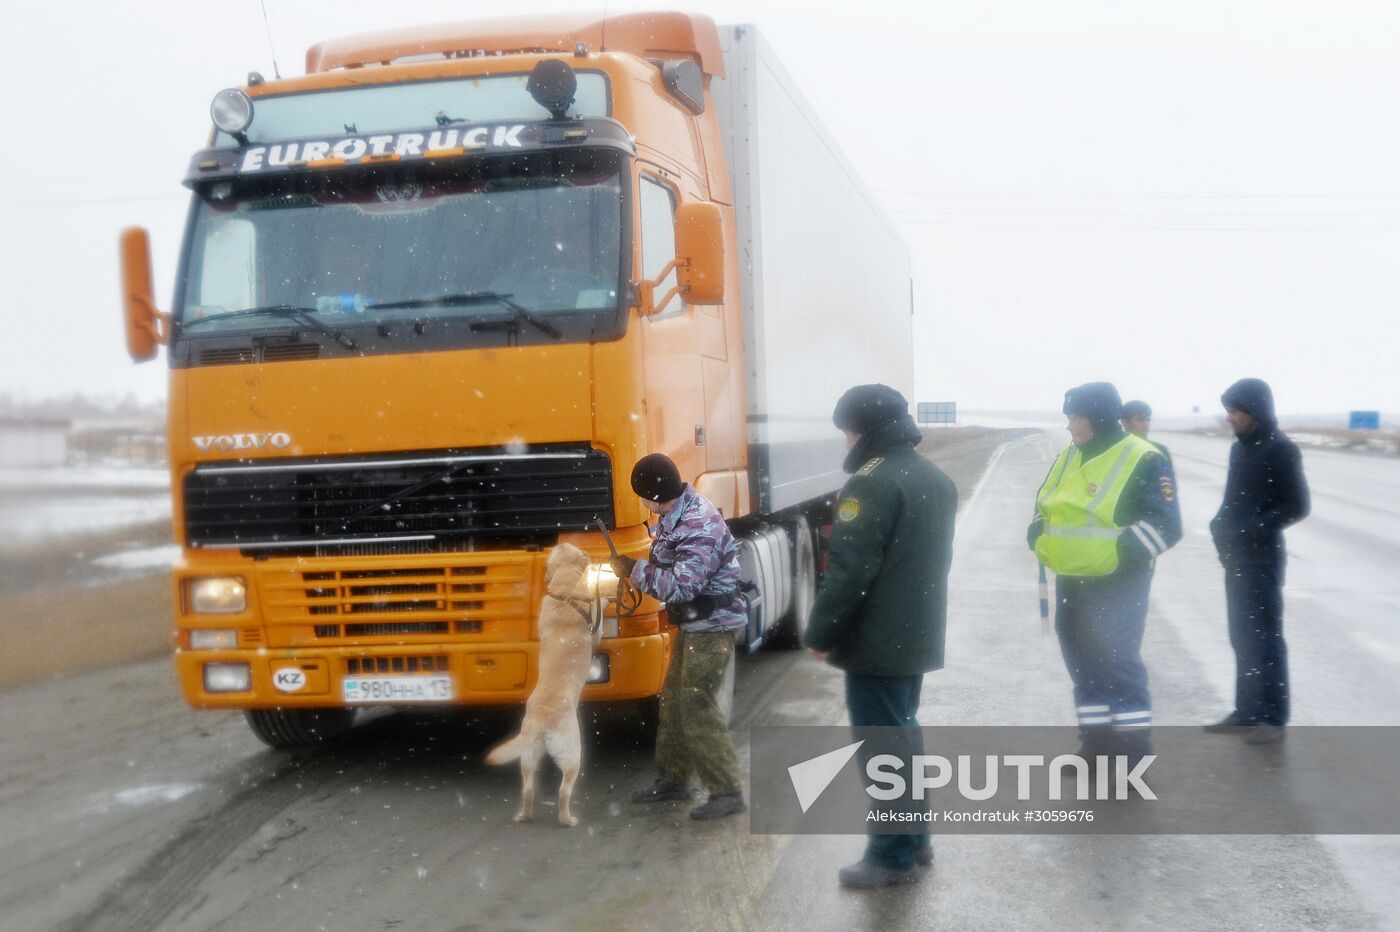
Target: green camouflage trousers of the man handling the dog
(694, 735)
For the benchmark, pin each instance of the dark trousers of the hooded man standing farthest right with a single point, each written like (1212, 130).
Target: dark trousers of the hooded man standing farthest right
(1255, 601)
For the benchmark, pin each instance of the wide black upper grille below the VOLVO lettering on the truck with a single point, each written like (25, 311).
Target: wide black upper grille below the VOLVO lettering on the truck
(433, 502)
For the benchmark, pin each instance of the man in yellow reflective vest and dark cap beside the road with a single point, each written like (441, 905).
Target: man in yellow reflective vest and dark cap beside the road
(1105, 513)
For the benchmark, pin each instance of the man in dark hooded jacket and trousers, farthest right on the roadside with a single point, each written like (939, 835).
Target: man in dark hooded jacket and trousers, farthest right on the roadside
(1265, 493)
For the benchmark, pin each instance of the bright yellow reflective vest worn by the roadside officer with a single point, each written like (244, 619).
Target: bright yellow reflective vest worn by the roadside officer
(1079, 502)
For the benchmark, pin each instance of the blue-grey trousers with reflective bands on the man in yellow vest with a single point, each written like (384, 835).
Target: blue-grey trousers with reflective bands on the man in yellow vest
(1101, 623)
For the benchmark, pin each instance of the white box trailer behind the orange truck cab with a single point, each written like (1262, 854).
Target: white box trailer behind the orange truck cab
(825, 276)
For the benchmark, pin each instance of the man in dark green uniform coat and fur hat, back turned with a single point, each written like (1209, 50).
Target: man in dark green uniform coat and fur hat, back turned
(883, 607)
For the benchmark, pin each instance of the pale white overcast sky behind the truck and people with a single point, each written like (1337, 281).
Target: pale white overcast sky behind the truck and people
(1167, 195)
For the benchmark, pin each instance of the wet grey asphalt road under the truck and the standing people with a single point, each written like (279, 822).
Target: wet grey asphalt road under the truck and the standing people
(122, 810)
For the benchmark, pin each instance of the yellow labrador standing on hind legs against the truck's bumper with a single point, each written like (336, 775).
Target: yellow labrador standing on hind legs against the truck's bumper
(566, 646)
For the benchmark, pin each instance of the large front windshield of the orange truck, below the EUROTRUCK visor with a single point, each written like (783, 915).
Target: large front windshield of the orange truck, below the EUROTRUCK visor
(509, 241)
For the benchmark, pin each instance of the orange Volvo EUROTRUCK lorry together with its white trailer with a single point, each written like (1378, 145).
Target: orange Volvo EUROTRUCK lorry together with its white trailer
(440, 295)
